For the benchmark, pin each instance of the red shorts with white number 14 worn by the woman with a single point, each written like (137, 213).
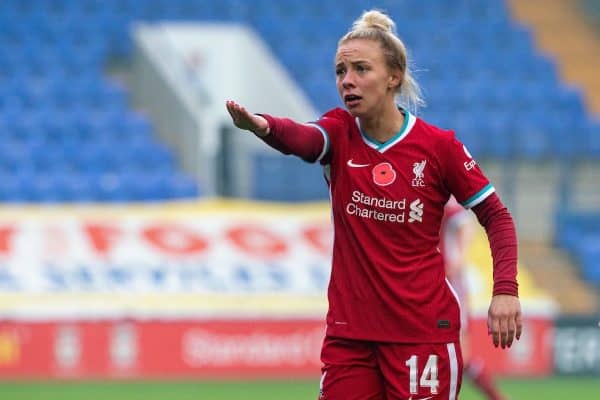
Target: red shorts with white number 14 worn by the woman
(361, 370)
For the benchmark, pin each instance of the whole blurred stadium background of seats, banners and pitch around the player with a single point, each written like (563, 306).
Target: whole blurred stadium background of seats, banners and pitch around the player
(150, 250)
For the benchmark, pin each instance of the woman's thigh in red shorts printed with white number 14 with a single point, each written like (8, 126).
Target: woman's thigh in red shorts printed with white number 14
(421, 371)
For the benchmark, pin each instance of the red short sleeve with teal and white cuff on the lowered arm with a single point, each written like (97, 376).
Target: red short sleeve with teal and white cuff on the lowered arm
(462, 175)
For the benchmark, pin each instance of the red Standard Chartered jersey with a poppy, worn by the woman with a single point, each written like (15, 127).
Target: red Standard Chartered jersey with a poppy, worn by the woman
(388, 280)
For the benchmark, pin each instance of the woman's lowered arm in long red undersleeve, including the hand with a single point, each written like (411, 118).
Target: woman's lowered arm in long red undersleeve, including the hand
(504, 314)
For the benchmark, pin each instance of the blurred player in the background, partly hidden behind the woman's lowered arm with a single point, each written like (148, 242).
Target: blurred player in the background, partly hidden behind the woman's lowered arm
(455, 237)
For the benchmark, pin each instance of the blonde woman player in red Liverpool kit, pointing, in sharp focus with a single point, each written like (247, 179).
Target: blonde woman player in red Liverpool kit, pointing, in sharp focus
(393, 322)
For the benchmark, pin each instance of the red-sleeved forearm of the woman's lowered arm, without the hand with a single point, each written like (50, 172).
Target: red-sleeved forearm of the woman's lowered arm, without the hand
(500, 228)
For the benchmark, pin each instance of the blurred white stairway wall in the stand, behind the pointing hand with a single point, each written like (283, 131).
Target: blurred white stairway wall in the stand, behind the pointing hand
(185, 72)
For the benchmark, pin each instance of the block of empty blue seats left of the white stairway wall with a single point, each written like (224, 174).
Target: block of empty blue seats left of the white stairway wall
(67, 132)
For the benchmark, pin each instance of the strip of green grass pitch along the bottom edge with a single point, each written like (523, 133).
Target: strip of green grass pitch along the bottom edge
(517, 389)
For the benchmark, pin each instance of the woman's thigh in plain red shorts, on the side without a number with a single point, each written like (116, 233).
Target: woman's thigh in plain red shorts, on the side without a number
(350, 371)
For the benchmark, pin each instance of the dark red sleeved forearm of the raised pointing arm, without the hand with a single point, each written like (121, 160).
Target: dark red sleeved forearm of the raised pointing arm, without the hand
(290, 137)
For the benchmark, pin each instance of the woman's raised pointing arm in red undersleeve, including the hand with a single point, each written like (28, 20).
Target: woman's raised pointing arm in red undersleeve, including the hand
(283, 134)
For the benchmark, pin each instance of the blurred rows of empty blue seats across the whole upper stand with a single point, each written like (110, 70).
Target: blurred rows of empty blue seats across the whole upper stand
(480, 73)
